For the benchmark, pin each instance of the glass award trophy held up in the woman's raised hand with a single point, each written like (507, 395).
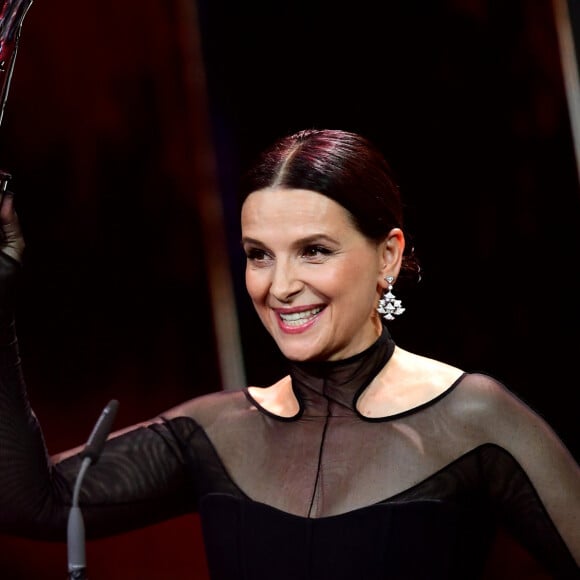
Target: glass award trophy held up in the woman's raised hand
(12, 13)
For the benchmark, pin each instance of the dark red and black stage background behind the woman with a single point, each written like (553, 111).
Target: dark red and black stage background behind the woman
(117, 130)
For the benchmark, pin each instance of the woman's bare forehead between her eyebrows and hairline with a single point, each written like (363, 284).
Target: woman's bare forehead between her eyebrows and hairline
(292, 209)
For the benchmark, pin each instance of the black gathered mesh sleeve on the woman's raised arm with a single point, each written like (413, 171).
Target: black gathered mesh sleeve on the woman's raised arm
(139, 478)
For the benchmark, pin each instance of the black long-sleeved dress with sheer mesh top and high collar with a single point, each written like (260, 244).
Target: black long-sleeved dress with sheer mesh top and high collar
(327, 494)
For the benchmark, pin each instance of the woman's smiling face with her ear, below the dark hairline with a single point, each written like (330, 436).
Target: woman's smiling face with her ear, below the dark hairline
(313, 278)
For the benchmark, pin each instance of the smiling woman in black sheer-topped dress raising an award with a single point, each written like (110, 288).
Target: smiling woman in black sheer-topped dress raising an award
(366, 461)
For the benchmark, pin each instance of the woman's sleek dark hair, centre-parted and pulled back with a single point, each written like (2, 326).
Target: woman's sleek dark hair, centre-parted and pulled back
(344, 166)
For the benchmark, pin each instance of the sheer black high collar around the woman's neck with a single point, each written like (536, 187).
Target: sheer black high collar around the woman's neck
(333, 387)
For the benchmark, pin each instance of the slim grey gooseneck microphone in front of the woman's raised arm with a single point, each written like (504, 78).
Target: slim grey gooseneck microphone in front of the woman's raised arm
(77, 566)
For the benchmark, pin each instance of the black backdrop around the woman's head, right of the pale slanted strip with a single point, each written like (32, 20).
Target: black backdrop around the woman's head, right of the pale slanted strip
(467, 101)
